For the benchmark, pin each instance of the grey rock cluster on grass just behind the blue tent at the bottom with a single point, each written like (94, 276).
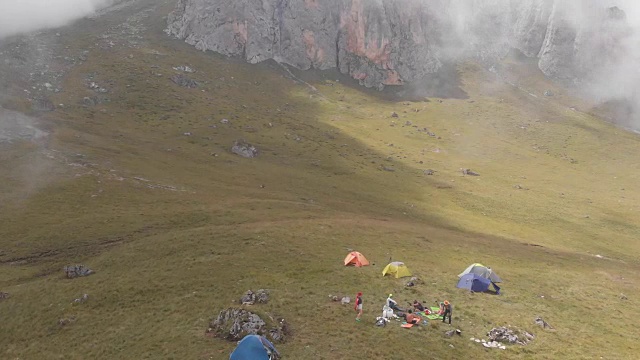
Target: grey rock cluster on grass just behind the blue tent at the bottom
(233, 324)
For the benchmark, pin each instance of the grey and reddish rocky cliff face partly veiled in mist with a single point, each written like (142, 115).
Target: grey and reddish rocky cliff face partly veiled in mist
(390, 42)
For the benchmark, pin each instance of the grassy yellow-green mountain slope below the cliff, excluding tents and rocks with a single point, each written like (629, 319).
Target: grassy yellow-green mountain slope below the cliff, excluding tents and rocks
(167, 261)
